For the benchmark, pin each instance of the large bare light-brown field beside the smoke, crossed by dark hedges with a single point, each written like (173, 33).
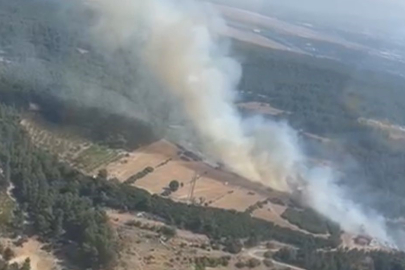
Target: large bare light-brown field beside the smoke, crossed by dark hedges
(215, 187)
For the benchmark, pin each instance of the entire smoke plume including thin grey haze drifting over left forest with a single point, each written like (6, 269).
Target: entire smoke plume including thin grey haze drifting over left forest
(166, 64)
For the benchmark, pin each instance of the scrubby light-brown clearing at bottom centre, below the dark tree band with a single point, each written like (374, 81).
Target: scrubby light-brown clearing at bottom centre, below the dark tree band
(144, 249)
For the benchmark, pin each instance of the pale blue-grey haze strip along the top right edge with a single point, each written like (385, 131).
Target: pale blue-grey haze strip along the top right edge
(373, 15)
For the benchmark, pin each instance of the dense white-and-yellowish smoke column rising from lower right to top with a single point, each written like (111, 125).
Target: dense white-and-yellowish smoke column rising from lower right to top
(180, 44)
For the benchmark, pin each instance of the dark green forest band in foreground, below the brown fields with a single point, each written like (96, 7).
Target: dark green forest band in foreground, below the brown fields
(64, 204)
